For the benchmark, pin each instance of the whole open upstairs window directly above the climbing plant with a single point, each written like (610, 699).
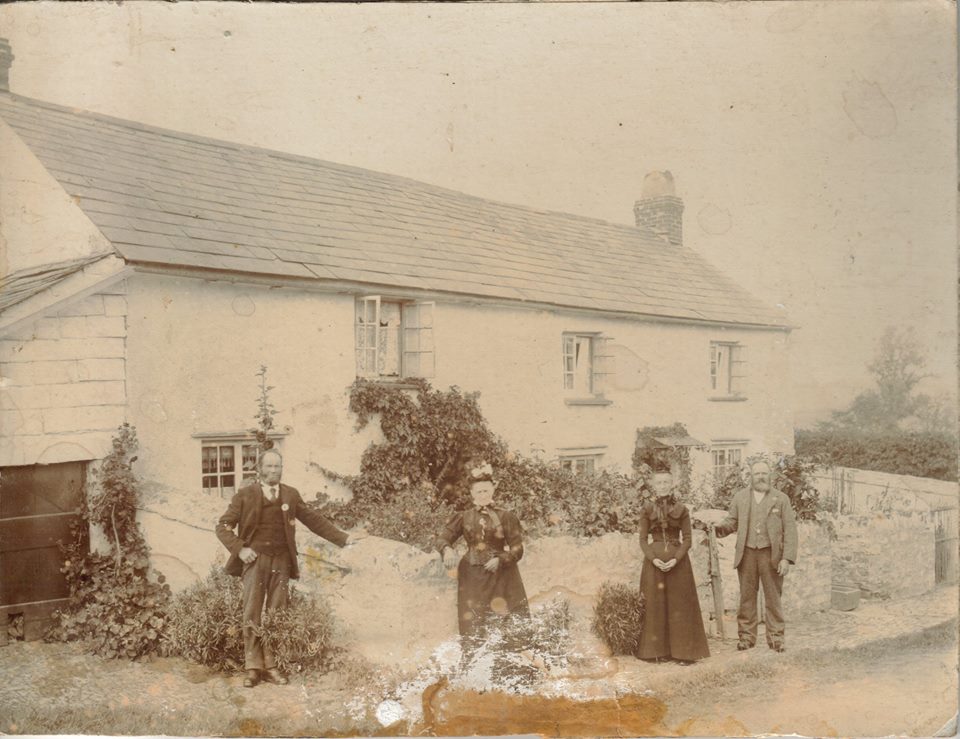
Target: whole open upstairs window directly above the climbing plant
(394, 339)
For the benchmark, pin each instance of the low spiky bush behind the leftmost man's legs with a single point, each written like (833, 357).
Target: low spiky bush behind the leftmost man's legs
(206, 622)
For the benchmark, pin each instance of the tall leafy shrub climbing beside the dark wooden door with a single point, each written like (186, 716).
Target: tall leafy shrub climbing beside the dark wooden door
(116, 604)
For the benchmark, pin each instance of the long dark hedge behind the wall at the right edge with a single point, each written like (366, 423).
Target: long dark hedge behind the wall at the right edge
(901, 453)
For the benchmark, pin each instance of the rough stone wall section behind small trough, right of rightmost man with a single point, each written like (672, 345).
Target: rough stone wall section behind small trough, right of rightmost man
(887, 556)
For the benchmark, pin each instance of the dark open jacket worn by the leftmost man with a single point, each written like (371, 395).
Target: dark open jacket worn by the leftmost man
(243, 514)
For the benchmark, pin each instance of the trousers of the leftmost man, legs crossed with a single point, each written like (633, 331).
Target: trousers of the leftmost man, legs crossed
(265, 582)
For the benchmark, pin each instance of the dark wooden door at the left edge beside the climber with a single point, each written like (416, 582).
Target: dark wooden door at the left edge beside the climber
(38, 504)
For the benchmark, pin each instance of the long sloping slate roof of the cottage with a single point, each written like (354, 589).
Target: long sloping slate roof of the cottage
(169, 198)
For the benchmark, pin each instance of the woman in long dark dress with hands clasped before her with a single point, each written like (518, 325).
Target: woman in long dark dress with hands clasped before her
(672, 625)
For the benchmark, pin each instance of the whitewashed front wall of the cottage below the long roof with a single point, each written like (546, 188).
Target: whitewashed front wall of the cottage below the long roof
(194, 348)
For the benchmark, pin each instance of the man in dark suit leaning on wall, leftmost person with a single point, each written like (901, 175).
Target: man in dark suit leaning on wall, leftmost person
(264, 553)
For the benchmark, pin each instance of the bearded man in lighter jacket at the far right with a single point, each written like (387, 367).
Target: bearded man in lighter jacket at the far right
(766, 548)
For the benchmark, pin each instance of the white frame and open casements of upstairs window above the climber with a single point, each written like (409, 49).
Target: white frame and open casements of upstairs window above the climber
(415, 345)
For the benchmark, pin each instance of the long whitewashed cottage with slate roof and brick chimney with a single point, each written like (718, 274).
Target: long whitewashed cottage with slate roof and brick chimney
(150, 273)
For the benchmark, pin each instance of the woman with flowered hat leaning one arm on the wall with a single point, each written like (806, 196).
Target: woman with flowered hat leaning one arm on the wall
(489, 587)
